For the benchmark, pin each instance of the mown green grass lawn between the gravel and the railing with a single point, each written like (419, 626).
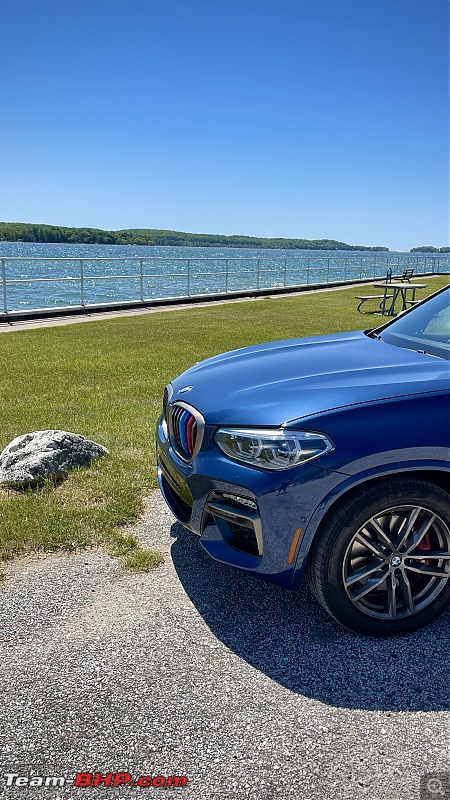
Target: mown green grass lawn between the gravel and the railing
(105, 380)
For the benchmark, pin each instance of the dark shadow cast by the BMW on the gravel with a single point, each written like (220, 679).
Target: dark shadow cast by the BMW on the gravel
(288, 637)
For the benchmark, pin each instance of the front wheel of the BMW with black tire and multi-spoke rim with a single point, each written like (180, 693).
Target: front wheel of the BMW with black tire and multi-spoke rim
(371, 566)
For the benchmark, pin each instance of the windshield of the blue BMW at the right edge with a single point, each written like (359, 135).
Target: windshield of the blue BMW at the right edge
(425, 328)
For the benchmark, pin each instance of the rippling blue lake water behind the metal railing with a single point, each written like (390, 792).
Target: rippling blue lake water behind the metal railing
(160, 272)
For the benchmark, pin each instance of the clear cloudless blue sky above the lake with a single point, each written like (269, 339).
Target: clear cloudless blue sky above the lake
(293, 118)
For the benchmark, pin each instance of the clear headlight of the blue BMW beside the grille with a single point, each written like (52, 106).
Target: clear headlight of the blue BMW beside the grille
(272, 448)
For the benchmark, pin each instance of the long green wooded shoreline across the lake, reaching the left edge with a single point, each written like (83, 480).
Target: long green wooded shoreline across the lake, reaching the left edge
(25, 232)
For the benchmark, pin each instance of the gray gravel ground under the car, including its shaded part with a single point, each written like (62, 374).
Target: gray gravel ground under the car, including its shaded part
(195, 669)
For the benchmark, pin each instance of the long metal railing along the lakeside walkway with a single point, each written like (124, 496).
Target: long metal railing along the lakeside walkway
(224, 276)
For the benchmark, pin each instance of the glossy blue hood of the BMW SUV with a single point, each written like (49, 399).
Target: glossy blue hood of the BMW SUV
(274, 383)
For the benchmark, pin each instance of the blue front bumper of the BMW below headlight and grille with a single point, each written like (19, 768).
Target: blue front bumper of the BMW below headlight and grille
(248, 518)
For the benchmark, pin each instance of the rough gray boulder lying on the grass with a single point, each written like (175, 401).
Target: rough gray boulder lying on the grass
(34, 456)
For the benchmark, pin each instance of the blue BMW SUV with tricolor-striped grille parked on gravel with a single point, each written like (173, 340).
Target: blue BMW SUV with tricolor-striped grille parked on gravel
(327, 456)
